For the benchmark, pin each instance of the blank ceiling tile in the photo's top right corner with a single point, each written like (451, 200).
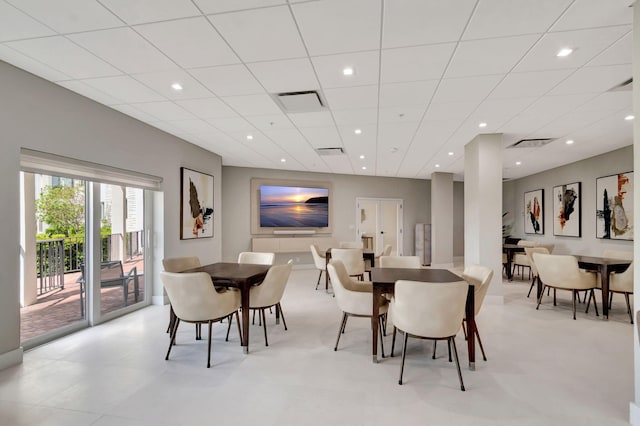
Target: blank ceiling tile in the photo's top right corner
(595, 13)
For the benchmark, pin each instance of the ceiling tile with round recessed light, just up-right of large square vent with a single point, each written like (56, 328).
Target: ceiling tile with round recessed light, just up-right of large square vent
(365, 67)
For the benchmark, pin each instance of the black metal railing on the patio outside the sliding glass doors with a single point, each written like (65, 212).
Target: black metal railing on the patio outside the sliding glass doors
(58, 256)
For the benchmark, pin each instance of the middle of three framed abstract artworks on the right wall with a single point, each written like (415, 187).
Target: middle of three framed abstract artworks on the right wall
(567, 212)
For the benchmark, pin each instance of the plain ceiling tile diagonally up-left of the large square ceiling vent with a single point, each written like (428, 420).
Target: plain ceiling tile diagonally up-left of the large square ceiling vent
(228, 80)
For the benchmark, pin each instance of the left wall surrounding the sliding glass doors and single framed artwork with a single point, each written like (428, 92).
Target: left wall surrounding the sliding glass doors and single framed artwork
(40, 115)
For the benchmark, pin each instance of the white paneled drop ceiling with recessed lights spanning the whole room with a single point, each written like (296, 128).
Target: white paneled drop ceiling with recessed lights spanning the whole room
(425, 75)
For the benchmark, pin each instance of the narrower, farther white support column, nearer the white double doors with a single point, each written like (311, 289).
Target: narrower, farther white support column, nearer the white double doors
(442, 220)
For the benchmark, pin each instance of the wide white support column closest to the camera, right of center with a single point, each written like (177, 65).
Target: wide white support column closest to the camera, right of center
(483, 206)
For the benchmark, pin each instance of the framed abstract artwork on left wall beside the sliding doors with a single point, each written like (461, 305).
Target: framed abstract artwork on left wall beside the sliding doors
(196, 204)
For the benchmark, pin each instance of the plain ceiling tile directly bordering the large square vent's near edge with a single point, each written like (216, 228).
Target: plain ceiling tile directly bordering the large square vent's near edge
(289, 75)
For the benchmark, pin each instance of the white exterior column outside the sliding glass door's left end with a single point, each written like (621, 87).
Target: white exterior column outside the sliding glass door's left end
(29, 278)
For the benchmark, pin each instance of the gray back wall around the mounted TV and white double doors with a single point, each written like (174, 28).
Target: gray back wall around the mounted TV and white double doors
(416, 196)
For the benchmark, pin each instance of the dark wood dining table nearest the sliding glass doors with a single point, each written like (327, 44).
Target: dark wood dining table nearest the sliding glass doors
(241, 276)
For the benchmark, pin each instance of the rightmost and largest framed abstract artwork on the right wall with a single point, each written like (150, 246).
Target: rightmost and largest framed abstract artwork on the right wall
(614, 206)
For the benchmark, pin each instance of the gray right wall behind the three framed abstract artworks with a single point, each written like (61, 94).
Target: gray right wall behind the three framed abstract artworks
(585, 171)
